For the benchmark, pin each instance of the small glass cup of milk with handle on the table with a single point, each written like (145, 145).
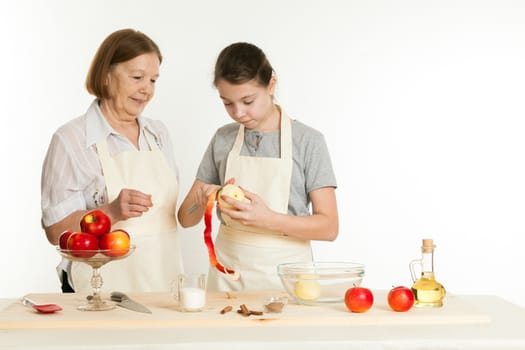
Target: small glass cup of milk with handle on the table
(190, 291)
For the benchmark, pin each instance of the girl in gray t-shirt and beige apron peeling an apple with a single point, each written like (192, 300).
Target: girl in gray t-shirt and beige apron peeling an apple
(282, 165)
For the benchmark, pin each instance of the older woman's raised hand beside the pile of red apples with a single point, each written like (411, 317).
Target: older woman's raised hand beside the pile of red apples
(129, 204)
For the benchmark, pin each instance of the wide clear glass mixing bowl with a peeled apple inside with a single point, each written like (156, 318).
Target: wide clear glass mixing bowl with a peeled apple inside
(314, 283)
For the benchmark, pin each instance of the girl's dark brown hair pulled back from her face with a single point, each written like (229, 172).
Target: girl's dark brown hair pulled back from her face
(241, 62)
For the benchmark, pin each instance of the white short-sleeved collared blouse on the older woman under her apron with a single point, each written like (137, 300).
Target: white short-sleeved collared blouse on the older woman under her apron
(72, 177)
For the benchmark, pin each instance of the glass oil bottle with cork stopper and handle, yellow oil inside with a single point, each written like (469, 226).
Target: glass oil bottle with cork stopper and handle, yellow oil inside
(427, 291)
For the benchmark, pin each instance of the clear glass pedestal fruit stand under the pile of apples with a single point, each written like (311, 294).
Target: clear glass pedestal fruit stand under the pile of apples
(96, 259)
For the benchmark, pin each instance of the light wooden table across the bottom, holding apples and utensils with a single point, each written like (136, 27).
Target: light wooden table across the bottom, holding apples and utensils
(465, 322)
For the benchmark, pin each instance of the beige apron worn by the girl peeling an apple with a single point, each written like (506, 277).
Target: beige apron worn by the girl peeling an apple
(254, 252)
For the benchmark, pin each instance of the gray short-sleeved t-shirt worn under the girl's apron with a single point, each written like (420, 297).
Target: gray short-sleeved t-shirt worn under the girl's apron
(311, 170)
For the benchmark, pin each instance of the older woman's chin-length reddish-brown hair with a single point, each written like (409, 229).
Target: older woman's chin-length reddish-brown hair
(120, 46)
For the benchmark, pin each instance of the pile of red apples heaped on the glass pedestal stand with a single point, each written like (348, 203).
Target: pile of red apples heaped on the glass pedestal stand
(95, 236)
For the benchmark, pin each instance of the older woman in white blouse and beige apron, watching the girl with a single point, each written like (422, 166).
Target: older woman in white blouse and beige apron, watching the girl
(114, 159)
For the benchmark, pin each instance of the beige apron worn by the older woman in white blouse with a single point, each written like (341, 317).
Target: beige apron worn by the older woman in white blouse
(157, 258)
